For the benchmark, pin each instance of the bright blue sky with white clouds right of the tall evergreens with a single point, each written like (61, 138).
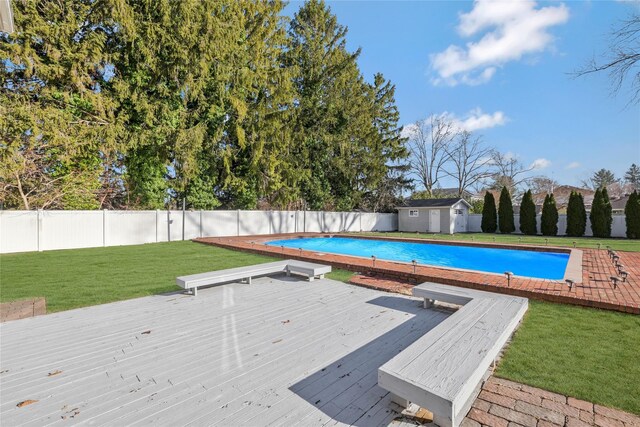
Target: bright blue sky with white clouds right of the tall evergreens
(506, 66)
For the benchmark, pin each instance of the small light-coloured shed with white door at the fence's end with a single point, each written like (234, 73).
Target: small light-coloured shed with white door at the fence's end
(434, 215)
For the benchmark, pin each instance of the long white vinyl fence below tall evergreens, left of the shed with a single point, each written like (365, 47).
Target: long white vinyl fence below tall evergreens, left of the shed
(24, 231)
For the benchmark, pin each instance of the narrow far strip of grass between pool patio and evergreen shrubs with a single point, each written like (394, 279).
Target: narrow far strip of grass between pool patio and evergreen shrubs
(619, 244)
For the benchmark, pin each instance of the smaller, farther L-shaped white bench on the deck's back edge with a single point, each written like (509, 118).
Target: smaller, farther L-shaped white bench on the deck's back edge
(308, 269)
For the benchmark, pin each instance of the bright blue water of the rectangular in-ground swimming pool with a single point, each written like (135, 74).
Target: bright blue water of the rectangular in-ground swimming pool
(541, 265)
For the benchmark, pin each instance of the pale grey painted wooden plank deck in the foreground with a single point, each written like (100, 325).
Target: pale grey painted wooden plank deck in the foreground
(282, 351)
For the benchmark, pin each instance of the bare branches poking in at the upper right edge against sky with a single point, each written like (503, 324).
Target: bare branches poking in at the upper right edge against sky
(623, 58)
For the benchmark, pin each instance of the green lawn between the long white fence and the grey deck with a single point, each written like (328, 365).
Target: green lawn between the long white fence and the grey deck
(82, 277)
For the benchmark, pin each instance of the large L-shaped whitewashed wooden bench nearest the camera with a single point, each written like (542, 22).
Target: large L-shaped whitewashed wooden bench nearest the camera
(444, 369)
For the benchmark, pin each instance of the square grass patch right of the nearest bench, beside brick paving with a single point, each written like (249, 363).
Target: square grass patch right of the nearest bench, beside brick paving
(581, 352)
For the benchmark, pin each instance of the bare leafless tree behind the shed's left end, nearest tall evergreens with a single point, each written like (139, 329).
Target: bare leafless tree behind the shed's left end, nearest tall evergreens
(428, 141)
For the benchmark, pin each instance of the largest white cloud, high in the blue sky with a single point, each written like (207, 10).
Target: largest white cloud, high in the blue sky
(512, 29)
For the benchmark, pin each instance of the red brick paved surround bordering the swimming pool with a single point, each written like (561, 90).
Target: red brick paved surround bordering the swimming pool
(596, 289)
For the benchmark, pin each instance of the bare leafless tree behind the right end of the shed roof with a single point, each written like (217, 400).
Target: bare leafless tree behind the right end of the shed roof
(470, 161)
